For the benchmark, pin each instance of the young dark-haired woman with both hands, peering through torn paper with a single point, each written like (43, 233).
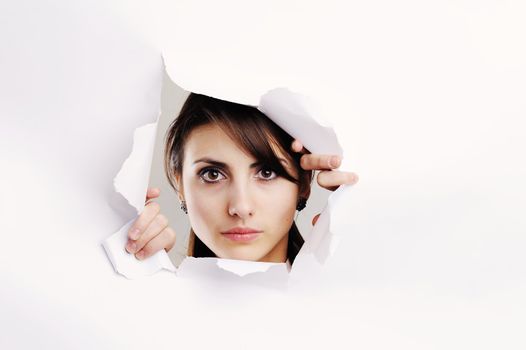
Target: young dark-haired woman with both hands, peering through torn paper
(240, 178)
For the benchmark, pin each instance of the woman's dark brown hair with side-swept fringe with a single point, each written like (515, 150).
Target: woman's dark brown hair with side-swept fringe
(249, 128)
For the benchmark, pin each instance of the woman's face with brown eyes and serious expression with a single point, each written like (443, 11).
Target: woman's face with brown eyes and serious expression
(237, 207)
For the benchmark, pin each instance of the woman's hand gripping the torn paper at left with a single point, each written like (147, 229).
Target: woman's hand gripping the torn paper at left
(150, 232)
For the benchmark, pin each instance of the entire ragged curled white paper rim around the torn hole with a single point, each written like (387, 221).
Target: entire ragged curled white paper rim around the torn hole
(292, 112)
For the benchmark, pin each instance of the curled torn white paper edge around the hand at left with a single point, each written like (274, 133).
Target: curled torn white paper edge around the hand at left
(132, 183)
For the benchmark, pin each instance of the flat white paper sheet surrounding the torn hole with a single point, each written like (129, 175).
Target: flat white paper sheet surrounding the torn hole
(428, 100)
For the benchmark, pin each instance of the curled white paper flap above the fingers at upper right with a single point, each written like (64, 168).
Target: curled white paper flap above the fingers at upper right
(298, 116)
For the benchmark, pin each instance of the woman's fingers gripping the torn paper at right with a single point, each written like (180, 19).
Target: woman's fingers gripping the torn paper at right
(328, 177)
